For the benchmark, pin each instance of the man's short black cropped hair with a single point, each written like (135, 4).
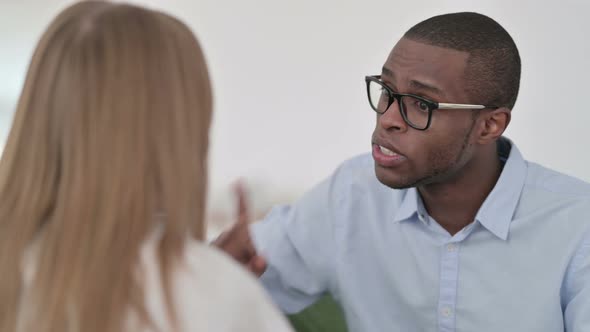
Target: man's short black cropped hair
(493, 67)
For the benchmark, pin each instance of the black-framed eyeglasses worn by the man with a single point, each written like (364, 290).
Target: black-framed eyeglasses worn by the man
(415, 110)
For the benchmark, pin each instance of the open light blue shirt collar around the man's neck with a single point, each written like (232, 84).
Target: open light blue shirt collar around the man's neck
(498, 208)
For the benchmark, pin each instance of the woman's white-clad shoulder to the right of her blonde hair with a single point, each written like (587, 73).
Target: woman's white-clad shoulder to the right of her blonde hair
(212, 292)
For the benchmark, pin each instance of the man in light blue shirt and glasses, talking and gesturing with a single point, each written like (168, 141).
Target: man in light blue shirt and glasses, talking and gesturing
(446, 227)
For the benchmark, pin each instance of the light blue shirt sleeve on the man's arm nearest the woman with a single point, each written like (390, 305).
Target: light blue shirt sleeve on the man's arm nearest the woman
(298, 243)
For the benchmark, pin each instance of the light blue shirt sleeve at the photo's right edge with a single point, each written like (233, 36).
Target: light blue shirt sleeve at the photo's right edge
(577, 292)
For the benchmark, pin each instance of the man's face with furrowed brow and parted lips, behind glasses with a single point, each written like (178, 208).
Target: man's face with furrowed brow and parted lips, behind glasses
(406, 157)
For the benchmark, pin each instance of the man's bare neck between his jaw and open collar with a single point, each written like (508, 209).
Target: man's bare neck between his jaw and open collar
(454, 204)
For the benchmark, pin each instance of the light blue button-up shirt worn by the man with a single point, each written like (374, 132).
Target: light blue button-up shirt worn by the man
(522, 265)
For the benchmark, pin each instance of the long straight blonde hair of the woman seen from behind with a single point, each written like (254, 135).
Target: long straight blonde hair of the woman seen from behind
(111, 130)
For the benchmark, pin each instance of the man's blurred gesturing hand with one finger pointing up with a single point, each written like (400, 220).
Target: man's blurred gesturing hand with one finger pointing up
(237, 241)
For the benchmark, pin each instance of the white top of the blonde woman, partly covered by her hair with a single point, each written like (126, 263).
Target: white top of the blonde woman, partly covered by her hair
(211, 293)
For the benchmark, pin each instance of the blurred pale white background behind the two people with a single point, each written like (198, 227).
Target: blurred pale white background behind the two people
(288, 78)
